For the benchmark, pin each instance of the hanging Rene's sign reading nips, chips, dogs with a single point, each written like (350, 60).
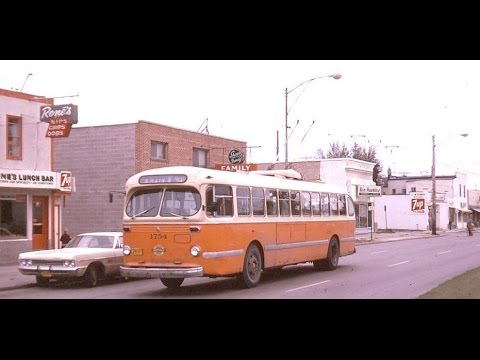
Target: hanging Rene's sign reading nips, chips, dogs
(60, 119)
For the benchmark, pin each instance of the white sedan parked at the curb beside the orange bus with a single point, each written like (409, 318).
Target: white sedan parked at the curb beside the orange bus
(88, 256)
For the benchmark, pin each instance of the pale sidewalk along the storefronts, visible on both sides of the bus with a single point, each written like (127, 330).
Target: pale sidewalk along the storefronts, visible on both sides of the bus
(11, 278)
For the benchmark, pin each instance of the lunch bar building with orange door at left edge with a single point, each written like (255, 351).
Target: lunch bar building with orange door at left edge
(30, 191)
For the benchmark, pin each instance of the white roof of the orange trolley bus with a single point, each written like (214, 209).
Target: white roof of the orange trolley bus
(261, 179)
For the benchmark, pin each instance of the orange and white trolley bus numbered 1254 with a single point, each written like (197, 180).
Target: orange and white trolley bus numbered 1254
(181, 222)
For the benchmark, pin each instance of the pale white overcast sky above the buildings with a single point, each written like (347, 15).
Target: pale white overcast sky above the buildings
(397, 106)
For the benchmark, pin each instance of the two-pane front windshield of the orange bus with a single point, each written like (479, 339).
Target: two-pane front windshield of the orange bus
(172, 202)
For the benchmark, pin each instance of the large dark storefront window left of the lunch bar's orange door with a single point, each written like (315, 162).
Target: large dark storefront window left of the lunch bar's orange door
(13, 218)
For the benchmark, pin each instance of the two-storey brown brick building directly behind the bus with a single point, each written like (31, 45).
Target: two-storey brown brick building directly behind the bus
(102, 158)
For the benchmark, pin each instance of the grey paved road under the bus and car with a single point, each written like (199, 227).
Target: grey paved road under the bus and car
(388, 270)
